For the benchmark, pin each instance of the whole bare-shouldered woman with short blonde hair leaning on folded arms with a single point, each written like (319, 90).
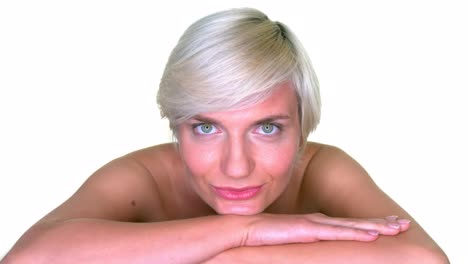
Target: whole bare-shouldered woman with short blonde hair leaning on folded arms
(241, 183)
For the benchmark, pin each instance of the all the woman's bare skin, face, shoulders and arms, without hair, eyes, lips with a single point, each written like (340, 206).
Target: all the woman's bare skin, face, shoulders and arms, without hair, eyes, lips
(158, 205)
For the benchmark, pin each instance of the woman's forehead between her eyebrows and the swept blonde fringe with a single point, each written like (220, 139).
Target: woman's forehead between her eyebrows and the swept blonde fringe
(282, 101)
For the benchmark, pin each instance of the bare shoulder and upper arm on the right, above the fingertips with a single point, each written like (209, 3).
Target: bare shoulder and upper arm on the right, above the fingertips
(338, 185)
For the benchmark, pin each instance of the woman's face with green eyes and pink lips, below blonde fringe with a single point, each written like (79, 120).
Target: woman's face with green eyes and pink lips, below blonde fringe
(240, 161)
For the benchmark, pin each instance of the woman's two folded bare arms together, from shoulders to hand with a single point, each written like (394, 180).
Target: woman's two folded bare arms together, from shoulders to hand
(96, 225)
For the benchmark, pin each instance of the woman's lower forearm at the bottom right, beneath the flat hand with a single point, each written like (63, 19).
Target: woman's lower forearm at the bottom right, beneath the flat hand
(393, 249)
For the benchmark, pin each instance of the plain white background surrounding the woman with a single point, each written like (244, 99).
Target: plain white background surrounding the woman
(78, 81)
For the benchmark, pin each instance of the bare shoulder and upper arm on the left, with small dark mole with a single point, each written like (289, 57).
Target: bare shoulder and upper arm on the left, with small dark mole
(125, 189)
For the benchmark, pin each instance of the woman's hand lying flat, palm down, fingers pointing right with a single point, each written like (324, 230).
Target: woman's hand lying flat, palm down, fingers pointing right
(271, 229)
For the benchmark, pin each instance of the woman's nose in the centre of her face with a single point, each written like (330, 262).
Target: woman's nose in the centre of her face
(237, 161)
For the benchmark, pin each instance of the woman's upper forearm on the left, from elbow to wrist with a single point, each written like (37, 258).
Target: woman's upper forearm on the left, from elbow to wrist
(101, 241)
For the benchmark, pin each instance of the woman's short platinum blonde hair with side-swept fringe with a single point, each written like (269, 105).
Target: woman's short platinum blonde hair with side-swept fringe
(234, 58)
